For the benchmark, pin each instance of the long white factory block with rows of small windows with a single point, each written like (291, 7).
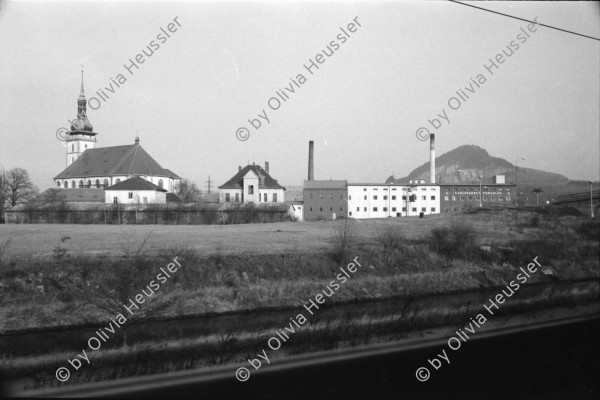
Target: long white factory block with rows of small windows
(370, 200)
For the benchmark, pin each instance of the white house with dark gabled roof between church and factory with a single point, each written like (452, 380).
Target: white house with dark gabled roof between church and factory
(252, 184)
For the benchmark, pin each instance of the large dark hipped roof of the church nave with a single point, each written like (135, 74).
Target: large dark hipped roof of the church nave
(130, 159)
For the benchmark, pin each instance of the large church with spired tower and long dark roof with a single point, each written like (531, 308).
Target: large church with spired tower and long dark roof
(103, 167)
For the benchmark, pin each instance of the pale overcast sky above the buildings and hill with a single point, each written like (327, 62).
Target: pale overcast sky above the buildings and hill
(361, 107)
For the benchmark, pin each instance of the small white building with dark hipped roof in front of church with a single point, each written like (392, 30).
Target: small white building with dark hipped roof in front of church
(135, 190)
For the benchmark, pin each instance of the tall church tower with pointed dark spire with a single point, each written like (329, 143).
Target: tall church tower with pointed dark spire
(82, 136)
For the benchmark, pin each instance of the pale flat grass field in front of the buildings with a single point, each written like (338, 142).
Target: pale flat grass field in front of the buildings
(271, 238)
